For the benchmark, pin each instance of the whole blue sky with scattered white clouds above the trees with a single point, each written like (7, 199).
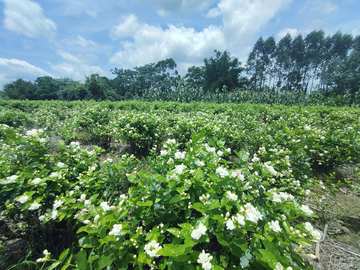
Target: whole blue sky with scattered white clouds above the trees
(76, 38)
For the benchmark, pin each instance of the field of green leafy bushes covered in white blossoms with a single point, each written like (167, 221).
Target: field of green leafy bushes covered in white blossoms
(214, 186)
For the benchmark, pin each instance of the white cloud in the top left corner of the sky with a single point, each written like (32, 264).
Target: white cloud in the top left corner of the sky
(26, 17)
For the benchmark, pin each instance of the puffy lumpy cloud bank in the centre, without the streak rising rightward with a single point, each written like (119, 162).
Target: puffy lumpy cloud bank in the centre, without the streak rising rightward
(152, 43)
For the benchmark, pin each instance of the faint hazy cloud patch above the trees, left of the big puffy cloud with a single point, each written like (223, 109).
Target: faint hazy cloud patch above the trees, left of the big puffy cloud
(75, 66)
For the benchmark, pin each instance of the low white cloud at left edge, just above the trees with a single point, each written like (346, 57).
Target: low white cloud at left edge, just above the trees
(15, 66)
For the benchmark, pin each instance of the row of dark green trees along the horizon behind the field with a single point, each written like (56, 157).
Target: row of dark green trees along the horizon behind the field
(300, 64)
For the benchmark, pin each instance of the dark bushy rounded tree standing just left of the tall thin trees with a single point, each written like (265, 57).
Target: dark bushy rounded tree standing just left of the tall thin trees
(222, 70)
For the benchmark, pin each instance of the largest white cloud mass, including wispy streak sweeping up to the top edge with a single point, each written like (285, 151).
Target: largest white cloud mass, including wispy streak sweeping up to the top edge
(143, 43)
